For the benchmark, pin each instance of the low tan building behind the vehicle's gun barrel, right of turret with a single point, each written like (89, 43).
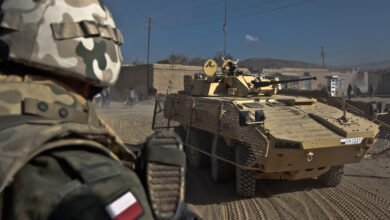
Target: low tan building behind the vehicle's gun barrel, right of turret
(322, 78)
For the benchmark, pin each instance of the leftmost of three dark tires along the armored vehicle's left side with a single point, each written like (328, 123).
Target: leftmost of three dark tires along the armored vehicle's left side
(201, 140)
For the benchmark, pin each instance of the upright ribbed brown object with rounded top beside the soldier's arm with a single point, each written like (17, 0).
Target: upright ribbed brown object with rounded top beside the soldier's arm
(165, 174)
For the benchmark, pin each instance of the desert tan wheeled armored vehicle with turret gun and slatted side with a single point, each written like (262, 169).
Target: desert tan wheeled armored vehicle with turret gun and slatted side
(236, 122)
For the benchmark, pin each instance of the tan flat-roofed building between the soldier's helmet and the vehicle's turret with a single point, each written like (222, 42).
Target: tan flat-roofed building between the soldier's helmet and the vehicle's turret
(165, 78)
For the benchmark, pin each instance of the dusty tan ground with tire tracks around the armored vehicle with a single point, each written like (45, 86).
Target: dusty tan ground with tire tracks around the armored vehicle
(363, 194)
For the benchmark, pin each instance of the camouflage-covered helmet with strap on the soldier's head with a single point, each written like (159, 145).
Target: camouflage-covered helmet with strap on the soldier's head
(72, 38)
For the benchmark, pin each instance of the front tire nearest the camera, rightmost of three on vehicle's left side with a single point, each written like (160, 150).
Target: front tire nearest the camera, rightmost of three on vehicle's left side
(245, 179)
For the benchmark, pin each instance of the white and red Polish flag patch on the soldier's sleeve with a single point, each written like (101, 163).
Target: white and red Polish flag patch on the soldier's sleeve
(126, 207)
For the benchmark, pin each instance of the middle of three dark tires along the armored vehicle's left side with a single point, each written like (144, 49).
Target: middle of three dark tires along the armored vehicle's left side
(221, 170)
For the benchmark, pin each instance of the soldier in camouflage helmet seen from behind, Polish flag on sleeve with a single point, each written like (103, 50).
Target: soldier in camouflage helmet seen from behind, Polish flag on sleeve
(58, 159)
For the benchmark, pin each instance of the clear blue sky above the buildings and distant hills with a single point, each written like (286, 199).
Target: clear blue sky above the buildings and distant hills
(352, 31)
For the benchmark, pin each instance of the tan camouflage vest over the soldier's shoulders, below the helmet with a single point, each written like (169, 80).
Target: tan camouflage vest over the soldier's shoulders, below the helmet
(37, 117)
